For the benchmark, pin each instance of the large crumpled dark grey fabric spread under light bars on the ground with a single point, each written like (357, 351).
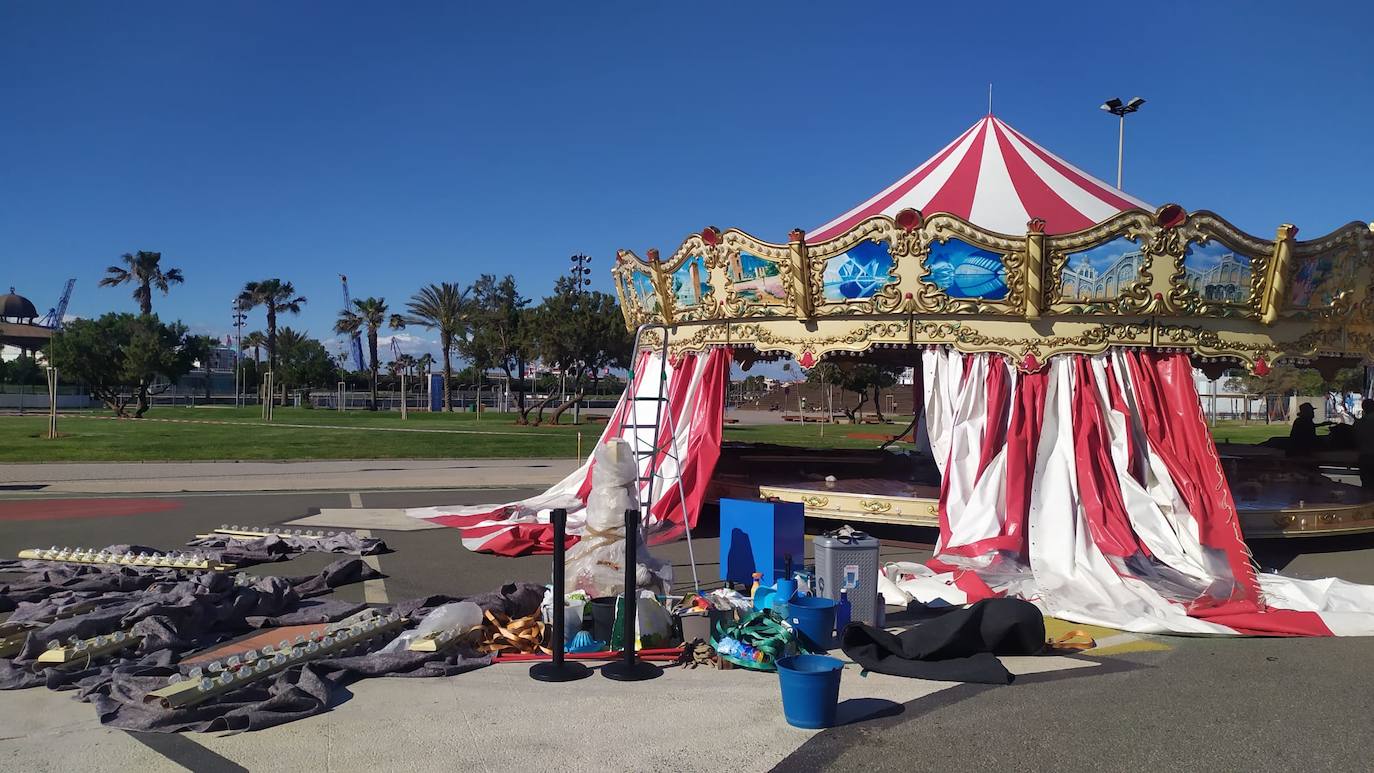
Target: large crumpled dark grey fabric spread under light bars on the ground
(178, 613)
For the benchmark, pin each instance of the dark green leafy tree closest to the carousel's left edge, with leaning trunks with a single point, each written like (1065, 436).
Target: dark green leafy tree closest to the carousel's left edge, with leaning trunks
(579, 334)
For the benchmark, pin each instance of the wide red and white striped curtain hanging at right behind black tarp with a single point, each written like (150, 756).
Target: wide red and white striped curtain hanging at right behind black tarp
(1093, 489)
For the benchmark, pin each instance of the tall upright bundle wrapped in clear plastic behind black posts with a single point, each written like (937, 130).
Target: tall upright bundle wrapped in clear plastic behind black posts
(597, 562)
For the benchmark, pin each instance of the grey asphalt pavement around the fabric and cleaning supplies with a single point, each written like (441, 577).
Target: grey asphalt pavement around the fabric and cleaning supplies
(1145, 704)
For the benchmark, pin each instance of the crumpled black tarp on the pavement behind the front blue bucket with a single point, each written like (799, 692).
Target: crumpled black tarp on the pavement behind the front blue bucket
(958, 645)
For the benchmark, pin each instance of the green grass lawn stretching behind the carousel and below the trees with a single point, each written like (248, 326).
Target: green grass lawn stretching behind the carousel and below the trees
(240, 435)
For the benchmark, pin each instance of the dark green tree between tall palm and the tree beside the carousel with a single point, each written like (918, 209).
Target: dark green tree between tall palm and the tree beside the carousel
(502, 336)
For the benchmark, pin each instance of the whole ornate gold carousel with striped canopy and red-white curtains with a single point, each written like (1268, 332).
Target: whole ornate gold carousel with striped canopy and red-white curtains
(1061, 450)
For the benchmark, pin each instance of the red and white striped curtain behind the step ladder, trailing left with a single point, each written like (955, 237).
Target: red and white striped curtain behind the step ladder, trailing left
(685, 461)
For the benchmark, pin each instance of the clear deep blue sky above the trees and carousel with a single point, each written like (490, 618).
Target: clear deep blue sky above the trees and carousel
(414, 143)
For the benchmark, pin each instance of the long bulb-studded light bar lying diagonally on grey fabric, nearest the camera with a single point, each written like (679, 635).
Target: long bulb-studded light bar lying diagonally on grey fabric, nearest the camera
(218, 679)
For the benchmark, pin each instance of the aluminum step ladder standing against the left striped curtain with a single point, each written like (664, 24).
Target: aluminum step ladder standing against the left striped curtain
(649, 473)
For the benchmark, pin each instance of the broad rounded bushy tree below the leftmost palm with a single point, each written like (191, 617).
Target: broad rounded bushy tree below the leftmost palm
(120, 358)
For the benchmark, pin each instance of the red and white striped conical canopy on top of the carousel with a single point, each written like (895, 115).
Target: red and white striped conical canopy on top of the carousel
(997, 179)
